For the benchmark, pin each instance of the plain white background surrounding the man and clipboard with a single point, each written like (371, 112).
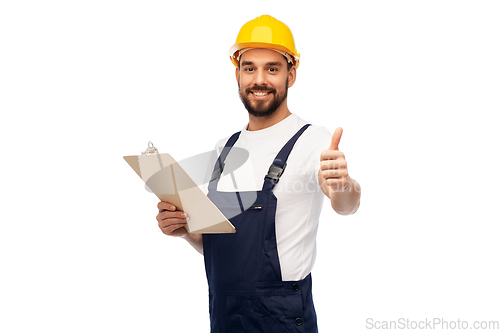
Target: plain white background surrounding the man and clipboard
(414, 84)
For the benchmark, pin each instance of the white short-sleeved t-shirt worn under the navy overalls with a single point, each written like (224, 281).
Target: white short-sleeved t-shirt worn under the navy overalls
(300, 198)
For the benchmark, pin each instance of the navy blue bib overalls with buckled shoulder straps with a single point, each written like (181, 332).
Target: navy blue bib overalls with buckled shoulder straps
(246, 291)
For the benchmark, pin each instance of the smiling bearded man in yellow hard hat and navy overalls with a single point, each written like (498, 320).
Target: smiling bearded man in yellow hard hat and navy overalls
(259, 278)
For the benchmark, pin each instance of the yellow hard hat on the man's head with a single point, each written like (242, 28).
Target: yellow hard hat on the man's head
(265, 32)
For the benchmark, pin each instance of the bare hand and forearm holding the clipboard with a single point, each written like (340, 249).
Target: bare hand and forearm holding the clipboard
(171, 222)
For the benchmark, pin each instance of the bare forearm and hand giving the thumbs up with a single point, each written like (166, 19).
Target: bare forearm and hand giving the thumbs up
(343, 191)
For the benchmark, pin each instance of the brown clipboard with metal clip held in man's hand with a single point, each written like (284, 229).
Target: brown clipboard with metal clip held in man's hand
(166, 178)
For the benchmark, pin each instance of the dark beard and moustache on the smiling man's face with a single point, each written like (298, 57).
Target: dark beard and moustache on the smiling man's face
(266, 108)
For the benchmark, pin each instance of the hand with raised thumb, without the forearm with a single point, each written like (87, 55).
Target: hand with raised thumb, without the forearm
(333, 167)
